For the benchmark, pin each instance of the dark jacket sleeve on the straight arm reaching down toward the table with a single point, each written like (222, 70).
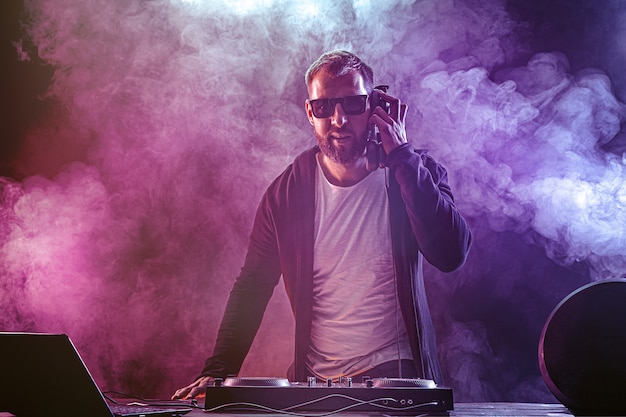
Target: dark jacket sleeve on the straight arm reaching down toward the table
(248, 298)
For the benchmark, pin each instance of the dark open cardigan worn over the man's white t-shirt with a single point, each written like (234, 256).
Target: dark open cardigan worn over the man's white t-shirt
(424, 221)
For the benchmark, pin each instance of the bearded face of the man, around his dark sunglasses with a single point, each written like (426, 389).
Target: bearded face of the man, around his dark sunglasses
(341, 137)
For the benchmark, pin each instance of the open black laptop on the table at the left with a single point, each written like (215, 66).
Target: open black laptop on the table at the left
(43, 375)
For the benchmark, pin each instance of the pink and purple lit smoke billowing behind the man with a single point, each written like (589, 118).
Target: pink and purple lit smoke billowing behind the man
(171, 118)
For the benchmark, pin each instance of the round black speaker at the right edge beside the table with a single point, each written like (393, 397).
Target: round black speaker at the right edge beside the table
(582, 350)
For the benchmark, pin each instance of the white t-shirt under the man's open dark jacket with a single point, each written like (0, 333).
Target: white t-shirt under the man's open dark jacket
(356, 322)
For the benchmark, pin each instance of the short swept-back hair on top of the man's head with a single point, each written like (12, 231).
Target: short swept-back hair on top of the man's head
(338, 63)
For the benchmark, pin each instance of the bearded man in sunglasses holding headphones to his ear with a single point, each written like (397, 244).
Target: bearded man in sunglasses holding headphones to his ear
(348, 245)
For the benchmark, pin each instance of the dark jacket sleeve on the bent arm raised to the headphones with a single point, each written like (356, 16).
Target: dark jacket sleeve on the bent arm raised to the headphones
(443, 236)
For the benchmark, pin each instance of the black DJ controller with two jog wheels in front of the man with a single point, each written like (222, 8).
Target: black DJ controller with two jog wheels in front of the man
(390, 396)
